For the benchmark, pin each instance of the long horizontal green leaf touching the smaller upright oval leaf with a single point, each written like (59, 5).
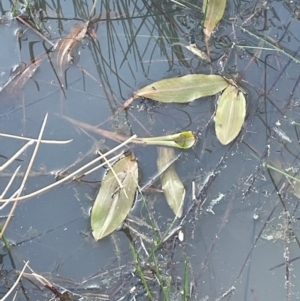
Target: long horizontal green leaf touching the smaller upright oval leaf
(183, 89)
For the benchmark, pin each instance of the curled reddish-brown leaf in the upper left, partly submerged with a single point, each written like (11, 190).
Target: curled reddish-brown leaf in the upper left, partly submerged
(66, 47)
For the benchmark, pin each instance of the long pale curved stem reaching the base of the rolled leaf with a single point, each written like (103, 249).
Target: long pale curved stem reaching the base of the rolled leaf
(70, 176)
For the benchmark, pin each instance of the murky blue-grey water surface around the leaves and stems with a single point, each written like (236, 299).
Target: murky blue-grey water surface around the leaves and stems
(241, 222)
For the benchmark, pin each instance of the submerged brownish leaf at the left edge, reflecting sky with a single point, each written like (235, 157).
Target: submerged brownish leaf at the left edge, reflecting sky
(10, 93)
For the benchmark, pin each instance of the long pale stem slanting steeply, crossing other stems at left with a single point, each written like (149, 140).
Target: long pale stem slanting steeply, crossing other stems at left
(25, 176)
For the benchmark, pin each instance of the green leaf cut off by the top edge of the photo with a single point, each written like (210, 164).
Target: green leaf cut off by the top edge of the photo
(214, 11)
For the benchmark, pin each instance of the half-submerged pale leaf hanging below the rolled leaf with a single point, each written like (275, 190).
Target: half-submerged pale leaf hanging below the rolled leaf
(171, 184)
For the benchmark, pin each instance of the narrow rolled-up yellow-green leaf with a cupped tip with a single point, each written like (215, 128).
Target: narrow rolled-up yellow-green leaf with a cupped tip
(183, 140)
